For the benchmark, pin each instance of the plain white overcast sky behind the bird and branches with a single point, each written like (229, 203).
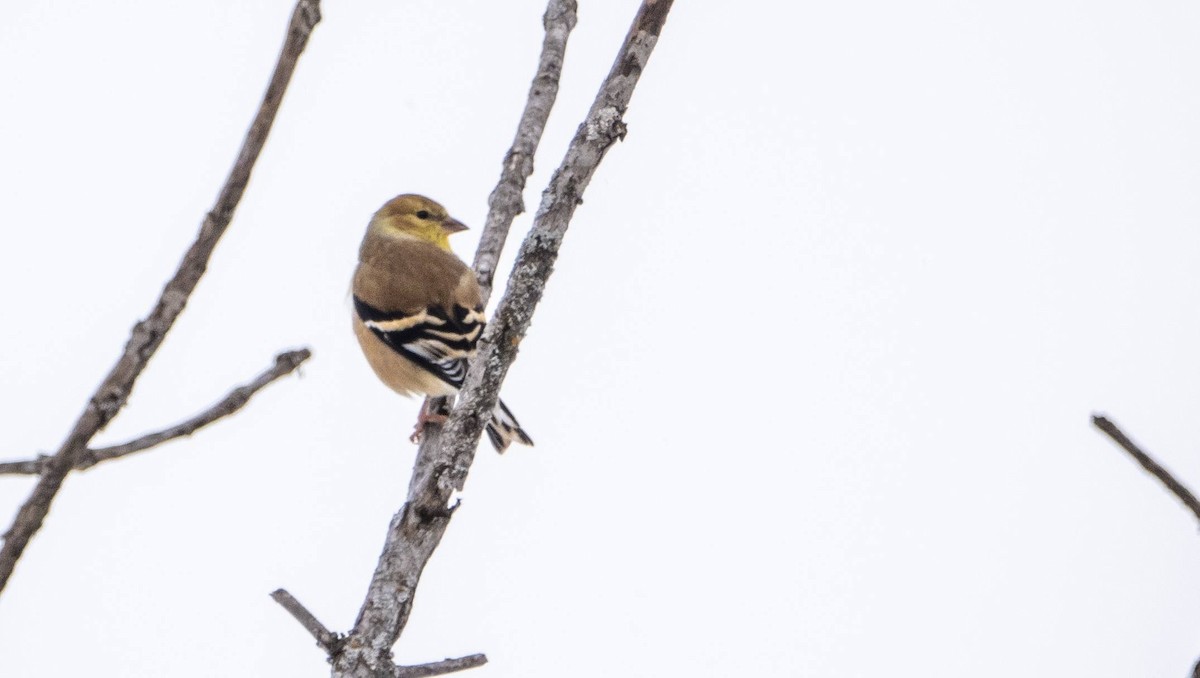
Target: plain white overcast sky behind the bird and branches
(811, 385)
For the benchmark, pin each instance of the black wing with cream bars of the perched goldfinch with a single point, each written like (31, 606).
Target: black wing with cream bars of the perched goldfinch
(436, 339)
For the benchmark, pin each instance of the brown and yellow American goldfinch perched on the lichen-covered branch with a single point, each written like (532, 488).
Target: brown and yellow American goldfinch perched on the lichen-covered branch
(418, 311)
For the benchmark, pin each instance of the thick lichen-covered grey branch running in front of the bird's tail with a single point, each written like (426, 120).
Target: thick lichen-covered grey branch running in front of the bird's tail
(445, 460)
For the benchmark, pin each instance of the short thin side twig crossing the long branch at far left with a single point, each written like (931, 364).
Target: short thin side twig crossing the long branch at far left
(285, 364)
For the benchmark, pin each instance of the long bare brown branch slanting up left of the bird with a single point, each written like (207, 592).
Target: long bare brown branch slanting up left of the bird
(148, 335)
